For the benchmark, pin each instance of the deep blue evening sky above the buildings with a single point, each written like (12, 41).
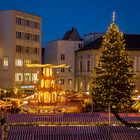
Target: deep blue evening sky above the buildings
(59, 16)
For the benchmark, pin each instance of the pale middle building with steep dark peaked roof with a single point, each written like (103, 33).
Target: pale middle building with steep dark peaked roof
(63, 52)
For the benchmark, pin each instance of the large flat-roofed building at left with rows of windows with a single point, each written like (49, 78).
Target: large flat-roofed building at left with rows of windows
(20, 44)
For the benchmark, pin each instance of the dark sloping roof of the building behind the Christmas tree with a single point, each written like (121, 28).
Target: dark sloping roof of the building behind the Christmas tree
(132, 42)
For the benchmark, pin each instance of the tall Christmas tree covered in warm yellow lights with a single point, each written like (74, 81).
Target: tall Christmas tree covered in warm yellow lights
(113, 81)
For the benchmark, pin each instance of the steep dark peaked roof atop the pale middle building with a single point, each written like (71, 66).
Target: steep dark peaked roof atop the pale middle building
(72, 34)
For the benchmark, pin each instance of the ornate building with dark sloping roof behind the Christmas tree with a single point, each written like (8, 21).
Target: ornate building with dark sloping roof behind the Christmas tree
(86, 60)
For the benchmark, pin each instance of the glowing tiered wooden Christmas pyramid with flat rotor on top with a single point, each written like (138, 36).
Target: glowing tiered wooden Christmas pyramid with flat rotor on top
(49, 88)
